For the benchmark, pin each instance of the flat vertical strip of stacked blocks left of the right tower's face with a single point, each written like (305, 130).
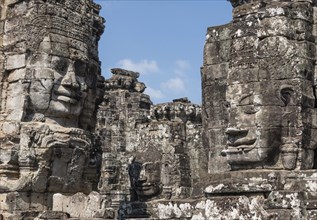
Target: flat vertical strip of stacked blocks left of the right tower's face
(214, 75)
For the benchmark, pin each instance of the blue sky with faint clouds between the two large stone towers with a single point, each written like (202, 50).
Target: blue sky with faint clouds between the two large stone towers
(163, 40)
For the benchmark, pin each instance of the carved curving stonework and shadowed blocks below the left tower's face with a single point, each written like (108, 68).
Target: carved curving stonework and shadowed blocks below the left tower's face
(60, 158)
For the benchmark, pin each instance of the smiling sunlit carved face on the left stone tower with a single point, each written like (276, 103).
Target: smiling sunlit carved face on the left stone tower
(62, 86)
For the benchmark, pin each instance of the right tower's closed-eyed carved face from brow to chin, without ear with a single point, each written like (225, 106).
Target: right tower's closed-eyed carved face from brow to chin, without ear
(251, 140)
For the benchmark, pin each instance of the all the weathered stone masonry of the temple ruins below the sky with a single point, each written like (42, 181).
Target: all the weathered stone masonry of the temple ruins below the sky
(74, 145)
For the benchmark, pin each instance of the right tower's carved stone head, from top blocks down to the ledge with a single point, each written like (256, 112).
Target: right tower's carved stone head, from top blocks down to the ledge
(267, 86)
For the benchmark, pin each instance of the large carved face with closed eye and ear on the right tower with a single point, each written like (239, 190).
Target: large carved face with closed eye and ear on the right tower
(260, 114)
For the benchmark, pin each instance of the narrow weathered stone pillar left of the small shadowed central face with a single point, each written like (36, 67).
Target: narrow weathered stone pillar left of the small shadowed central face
(124, 106)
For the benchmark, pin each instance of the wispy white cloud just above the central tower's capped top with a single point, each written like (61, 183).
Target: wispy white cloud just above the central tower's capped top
(143, 66)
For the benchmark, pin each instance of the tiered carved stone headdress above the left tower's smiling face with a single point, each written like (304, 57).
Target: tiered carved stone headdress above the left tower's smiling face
(74, 22)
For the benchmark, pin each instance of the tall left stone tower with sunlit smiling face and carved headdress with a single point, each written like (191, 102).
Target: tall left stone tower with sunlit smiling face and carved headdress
(49, 69)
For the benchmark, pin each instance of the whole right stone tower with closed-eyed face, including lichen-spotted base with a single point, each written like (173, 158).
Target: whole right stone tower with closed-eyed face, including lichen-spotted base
(259, 110)
